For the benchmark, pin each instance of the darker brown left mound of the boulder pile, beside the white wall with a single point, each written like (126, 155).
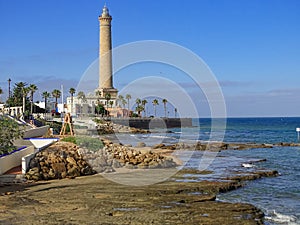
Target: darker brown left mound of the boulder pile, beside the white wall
(58, 161)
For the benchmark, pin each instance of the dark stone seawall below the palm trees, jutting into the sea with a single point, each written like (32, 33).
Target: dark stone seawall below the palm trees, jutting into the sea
(151, 123)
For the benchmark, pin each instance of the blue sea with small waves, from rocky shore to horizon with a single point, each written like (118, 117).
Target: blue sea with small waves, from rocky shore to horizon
(278, 197)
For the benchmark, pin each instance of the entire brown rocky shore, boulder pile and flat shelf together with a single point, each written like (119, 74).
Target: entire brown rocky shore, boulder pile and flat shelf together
(94, 199)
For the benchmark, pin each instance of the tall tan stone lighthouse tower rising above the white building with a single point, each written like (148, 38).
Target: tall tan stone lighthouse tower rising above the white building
(105, 56)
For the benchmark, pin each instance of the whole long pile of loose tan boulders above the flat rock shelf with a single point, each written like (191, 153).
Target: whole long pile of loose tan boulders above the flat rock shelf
(65, 159)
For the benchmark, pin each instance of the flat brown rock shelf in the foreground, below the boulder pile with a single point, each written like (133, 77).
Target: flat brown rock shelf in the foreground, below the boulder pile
(96, 200)
